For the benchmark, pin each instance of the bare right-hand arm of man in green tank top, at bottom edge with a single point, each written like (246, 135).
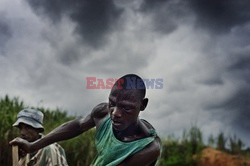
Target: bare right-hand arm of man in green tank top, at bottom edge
(145, 157)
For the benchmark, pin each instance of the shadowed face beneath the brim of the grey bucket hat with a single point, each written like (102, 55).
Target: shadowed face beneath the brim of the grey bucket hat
(28, 133)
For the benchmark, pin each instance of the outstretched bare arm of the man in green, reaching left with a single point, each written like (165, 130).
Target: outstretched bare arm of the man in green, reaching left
(66, 131)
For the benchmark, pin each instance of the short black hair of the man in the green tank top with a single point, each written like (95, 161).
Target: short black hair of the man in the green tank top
(129, 82)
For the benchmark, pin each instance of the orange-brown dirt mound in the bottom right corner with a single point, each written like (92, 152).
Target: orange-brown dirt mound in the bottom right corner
(212, 157)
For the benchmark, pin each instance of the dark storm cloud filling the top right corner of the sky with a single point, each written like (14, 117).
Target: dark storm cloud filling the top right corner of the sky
(220, 16)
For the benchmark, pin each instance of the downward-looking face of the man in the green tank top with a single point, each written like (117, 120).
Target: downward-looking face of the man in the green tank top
(124, 108)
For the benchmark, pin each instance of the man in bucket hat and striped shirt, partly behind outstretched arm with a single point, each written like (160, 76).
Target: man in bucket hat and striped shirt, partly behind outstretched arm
(29, 122)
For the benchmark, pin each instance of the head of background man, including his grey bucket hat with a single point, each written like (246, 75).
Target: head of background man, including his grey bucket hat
(29, 122)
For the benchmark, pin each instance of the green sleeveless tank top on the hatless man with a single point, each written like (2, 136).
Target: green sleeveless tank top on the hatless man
(111, 151)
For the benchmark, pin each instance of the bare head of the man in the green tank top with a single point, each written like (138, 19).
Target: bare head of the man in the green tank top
(126, 100)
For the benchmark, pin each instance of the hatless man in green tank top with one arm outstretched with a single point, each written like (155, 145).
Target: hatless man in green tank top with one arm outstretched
(121, 137)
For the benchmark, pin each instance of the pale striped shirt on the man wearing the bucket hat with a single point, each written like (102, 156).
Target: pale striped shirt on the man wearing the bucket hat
(52, 155)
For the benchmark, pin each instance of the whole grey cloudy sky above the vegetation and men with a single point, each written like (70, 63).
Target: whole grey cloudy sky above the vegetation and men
(200, 48)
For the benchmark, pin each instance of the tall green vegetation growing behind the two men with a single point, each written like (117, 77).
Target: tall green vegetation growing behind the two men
(81, 150)
